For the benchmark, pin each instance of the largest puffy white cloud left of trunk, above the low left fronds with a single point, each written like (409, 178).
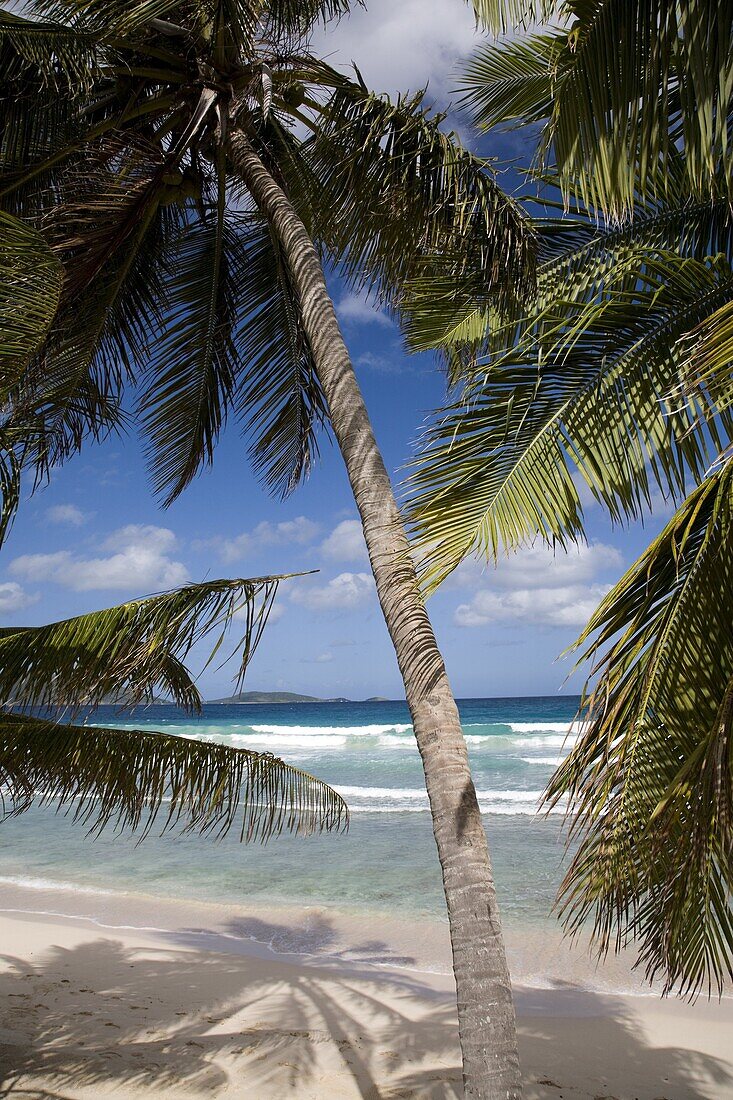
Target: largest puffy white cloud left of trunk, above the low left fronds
(139, 562)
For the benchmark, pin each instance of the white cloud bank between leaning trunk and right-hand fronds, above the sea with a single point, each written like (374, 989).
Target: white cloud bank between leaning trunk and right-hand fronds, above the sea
(540, 587)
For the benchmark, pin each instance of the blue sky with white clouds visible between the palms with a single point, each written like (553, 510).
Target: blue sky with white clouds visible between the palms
(96, 536)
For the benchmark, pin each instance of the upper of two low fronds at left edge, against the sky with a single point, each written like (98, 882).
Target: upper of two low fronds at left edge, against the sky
(133, 651)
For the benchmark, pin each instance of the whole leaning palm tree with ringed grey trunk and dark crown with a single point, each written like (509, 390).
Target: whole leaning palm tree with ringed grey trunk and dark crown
(194, 223)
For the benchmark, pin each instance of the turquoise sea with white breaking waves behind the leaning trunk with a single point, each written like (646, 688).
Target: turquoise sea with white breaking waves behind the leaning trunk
(387, 863)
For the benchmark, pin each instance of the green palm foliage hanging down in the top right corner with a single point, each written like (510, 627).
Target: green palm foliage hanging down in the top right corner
(621, 92)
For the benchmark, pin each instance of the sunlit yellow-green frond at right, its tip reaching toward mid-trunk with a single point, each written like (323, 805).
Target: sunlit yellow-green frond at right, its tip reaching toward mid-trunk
(585, 390)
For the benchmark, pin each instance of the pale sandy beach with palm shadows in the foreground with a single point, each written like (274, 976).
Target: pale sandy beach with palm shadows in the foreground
(236, 1007)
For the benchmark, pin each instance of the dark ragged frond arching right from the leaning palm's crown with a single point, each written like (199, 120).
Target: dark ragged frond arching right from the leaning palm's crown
(407, 200)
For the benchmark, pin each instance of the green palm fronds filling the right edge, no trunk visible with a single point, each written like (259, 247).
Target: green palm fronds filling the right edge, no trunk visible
(619, 377)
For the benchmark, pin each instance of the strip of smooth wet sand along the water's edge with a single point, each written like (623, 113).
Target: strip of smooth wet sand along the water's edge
(540, 956)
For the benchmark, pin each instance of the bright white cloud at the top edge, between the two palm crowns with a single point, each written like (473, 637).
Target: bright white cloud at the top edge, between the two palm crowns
(401, 47)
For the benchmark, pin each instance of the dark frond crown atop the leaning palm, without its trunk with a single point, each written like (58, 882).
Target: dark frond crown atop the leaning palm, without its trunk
(172, 280)
